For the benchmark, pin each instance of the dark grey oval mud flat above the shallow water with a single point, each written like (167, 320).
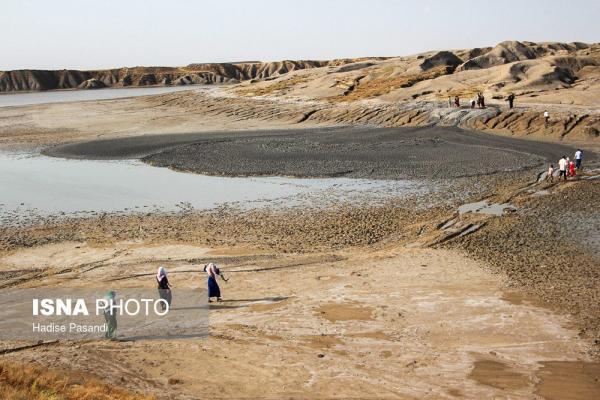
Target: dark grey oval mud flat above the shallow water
(382, 153)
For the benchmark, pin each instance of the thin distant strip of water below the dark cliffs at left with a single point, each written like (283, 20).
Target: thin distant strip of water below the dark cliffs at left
(61, 96)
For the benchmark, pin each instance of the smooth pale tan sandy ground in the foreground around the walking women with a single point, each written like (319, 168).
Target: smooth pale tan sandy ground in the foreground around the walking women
(392, 323)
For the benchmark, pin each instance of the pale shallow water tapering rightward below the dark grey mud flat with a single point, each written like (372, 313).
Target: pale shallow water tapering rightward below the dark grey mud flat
(40, 185)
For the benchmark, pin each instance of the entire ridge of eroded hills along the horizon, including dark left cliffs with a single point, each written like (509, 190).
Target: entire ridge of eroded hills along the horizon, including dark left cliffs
(567, 73)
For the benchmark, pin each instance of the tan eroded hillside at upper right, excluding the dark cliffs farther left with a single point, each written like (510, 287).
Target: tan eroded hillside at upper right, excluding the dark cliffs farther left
(557, 73)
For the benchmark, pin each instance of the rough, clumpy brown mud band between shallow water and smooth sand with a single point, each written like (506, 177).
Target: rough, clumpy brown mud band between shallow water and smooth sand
(536, 246)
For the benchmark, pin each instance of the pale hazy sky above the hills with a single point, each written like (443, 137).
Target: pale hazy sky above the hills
(54, 34)
